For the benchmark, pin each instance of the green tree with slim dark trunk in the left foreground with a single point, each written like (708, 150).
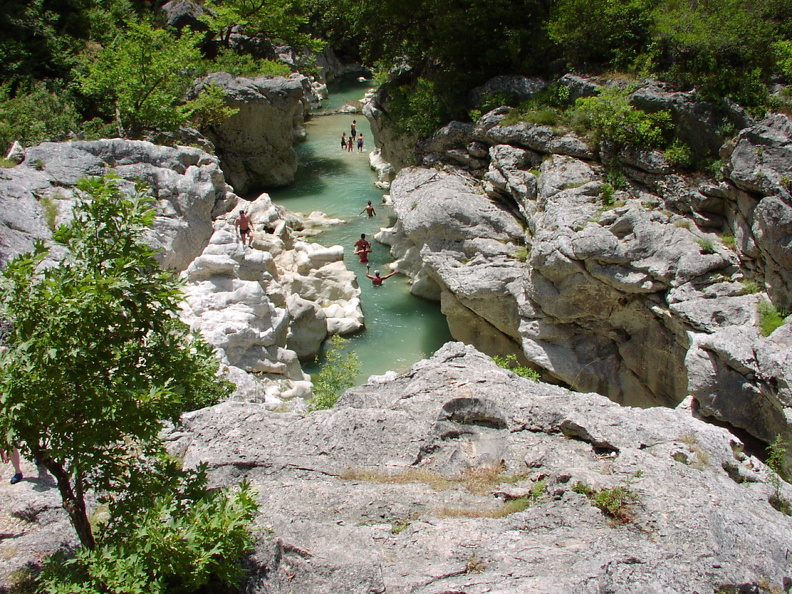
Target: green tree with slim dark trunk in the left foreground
(96, 356)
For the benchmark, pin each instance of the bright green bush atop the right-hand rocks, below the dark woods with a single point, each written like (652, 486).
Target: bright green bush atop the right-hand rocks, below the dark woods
(610, 117)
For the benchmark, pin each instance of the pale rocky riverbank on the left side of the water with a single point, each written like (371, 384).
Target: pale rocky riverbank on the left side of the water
(263, 308)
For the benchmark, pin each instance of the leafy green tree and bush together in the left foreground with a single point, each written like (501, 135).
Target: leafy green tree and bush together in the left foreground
(95, 361)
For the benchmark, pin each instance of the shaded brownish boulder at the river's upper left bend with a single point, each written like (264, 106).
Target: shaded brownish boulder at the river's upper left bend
(256, 144)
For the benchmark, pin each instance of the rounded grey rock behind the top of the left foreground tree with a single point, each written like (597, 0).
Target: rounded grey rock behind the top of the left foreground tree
(186, 182)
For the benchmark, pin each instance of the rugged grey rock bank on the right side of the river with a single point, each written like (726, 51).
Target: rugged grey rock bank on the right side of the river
(646, 293)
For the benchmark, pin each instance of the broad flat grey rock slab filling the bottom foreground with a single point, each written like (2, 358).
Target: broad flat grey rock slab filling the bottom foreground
(456, 476)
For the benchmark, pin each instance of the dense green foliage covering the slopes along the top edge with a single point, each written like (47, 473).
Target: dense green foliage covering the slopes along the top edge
(79, 56)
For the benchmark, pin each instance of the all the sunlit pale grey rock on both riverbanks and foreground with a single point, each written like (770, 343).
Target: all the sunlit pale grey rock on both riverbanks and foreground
(457, 475)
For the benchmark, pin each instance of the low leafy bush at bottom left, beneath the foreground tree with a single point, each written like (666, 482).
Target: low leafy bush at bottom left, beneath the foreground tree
(180, 539)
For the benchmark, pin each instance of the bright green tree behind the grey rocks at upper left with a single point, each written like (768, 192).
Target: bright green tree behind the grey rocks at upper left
(143, 75)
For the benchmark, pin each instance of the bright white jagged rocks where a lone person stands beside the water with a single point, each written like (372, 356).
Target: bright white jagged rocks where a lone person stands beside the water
(270, 305)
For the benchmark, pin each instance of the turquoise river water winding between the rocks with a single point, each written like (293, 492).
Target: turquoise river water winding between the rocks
(400, 328)
